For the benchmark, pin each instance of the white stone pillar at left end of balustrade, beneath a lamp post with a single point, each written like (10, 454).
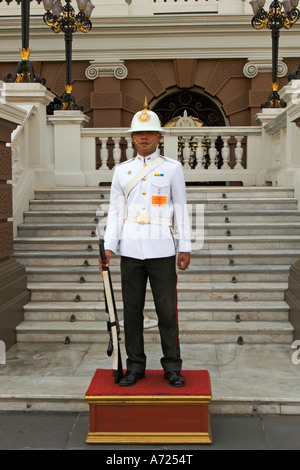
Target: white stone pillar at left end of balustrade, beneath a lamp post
(67, 147)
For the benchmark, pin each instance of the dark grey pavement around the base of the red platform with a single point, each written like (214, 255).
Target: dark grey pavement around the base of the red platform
(67, 431)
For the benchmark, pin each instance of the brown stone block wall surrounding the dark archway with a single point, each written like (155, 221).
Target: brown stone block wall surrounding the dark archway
(111, 91)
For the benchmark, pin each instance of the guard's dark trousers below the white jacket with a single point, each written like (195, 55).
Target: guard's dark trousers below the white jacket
(162, 276)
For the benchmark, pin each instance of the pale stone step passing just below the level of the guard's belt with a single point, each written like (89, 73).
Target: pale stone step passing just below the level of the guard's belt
(212, 229)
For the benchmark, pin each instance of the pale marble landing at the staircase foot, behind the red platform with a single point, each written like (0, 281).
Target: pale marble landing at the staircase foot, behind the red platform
(245, 379)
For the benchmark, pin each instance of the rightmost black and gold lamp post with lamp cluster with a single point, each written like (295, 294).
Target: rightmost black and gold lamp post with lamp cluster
(280, 14)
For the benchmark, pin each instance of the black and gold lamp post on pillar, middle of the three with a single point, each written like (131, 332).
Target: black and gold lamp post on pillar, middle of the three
(63, 18)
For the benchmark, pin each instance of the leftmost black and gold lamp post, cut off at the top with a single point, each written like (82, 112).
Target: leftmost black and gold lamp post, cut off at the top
(24, 70)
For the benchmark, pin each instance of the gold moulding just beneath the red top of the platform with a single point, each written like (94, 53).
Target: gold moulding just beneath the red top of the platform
(148, 399)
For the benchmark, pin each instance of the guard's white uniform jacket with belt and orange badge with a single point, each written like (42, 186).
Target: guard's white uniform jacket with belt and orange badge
(143, 222)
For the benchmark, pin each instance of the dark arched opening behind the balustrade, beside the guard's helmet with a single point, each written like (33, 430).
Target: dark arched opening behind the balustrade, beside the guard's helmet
(197, 105)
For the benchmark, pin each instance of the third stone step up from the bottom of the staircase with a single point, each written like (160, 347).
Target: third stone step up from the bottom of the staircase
(186, 291)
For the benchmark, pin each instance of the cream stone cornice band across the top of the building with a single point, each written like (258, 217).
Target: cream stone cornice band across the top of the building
(144, 29)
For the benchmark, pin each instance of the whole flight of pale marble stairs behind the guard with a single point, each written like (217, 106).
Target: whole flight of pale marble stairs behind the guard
(232, 293)
